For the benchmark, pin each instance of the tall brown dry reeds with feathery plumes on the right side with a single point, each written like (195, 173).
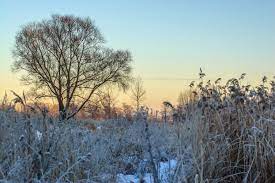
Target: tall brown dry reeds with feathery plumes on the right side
(233, 132)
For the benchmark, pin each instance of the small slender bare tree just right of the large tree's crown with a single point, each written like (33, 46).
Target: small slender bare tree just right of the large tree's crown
(138, 92)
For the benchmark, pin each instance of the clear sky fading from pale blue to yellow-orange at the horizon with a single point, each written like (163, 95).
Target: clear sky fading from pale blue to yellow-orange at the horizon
(169, 40)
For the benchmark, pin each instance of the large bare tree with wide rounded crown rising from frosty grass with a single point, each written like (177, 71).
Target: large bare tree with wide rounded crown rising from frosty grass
(65, 58)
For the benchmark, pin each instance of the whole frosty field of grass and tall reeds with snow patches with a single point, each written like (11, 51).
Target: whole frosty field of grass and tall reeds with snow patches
(220, 133)
